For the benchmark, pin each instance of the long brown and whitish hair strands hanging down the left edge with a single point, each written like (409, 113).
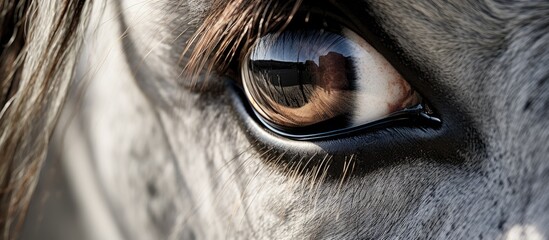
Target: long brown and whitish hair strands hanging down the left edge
(40, 40)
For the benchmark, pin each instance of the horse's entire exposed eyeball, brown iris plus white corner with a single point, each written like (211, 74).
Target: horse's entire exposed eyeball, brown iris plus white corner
(305, 78)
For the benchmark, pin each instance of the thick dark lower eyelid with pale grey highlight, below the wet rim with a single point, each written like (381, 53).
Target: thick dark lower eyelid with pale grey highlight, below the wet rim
(372, 148)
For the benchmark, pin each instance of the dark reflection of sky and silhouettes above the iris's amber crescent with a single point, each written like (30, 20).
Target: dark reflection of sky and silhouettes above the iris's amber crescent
(290, 68)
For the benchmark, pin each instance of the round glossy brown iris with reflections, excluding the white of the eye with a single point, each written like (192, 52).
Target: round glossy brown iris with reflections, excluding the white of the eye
(300, 77)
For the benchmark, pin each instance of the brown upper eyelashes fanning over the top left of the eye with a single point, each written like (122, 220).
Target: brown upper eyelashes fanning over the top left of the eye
(229, 29)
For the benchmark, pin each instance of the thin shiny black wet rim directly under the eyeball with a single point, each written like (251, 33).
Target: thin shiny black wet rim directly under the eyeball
(420, 111)
